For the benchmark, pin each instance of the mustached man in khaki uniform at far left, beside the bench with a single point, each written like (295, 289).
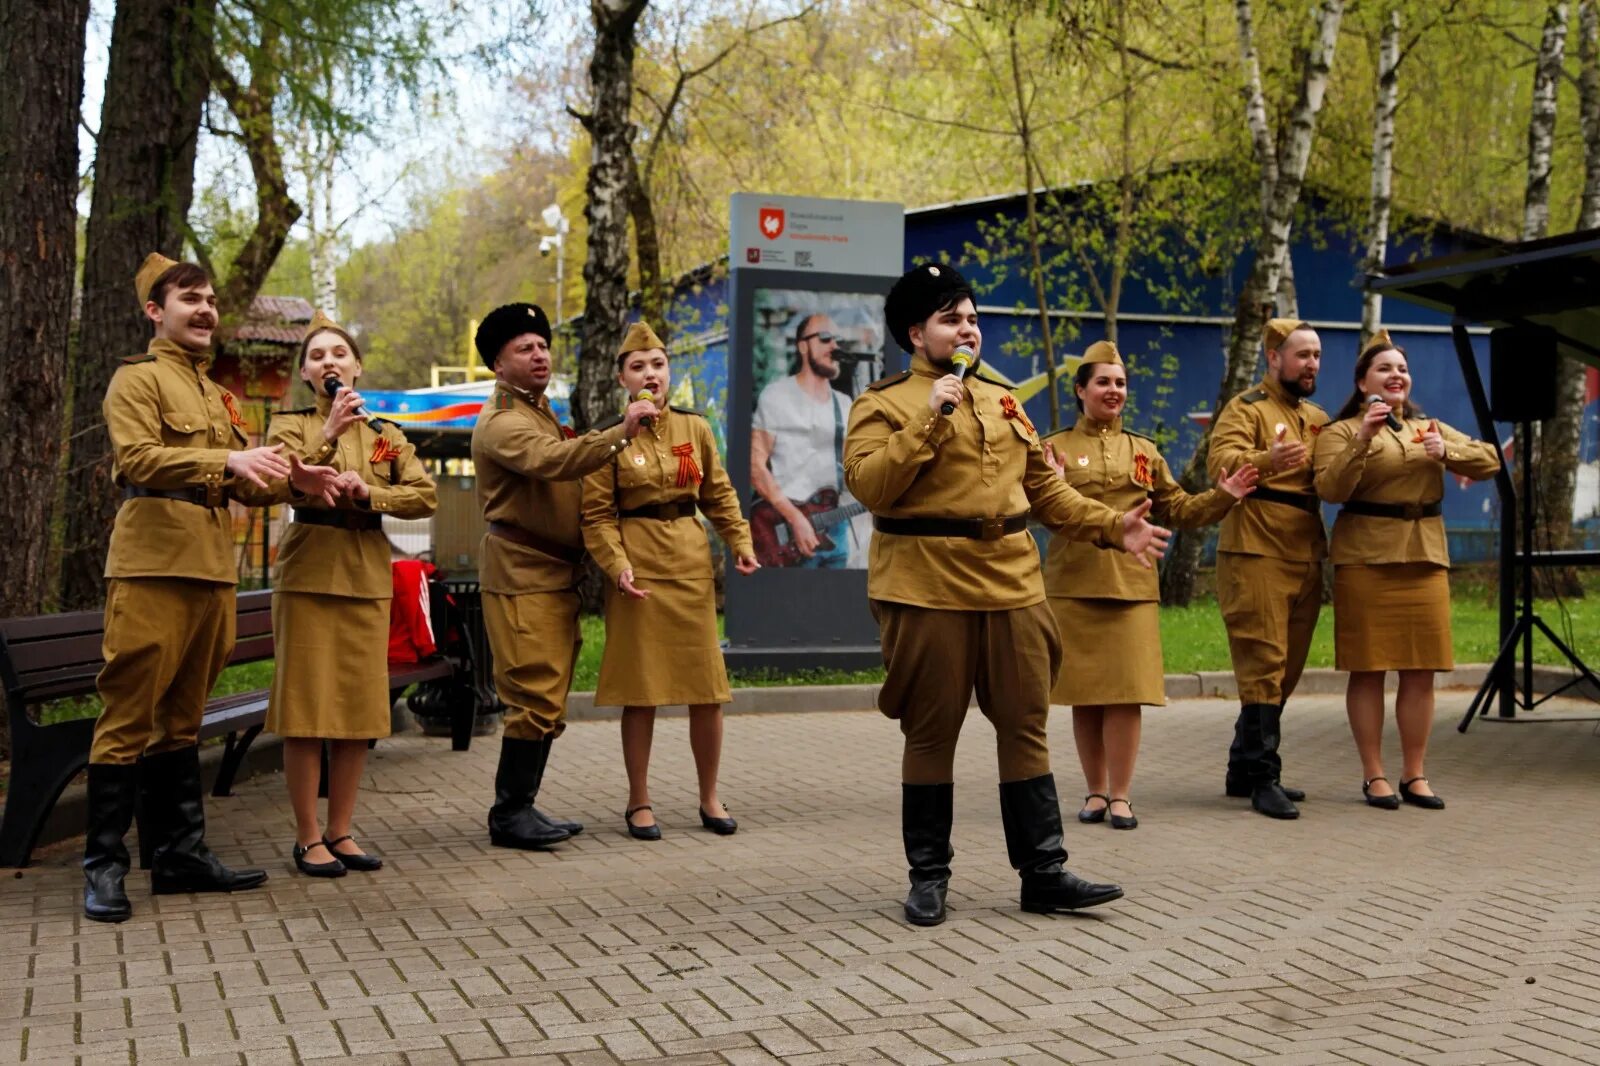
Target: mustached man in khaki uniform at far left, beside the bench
(182, 454)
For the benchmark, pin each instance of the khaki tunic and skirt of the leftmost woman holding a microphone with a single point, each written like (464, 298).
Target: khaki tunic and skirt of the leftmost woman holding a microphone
(330, 601)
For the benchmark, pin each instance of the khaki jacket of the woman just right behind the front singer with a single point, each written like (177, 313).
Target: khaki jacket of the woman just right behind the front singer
(1121, 470)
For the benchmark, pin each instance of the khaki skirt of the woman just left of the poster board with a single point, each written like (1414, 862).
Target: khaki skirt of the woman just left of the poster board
(663, 651)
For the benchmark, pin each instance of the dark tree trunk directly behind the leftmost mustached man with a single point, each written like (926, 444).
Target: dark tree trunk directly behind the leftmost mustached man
(156, 87)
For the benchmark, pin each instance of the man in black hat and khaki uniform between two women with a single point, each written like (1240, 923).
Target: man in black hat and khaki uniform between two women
(529, 468)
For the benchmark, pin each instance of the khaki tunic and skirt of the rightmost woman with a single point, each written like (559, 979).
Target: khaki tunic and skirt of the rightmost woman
(1391, 587)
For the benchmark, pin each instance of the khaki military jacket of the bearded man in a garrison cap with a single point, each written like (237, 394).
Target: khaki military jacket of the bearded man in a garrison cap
(1244, 433)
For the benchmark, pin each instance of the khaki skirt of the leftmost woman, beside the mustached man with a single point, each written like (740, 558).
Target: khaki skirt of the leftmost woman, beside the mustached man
(330, 678)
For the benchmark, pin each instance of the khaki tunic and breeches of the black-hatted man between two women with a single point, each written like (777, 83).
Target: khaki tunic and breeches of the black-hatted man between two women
(529, 468)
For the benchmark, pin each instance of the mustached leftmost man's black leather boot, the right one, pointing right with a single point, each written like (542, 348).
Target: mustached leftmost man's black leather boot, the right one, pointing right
(175, 809)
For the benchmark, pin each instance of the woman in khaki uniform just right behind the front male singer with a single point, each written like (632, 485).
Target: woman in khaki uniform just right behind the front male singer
(1110, 595)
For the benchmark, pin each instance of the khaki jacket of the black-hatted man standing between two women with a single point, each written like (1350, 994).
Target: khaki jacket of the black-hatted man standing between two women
(529, 470)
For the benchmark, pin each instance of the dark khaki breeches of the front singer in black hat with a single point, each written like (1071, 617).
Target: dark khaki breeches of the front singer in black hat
(935, 660)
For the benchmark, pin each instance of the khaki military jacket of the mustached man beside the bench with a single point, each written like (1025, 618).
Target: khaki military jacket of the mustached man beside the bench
(172, 430)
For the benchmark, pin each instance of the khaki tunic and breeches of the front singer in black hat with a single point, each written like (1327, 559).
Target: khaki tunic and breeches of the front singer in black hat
(956, 614)
